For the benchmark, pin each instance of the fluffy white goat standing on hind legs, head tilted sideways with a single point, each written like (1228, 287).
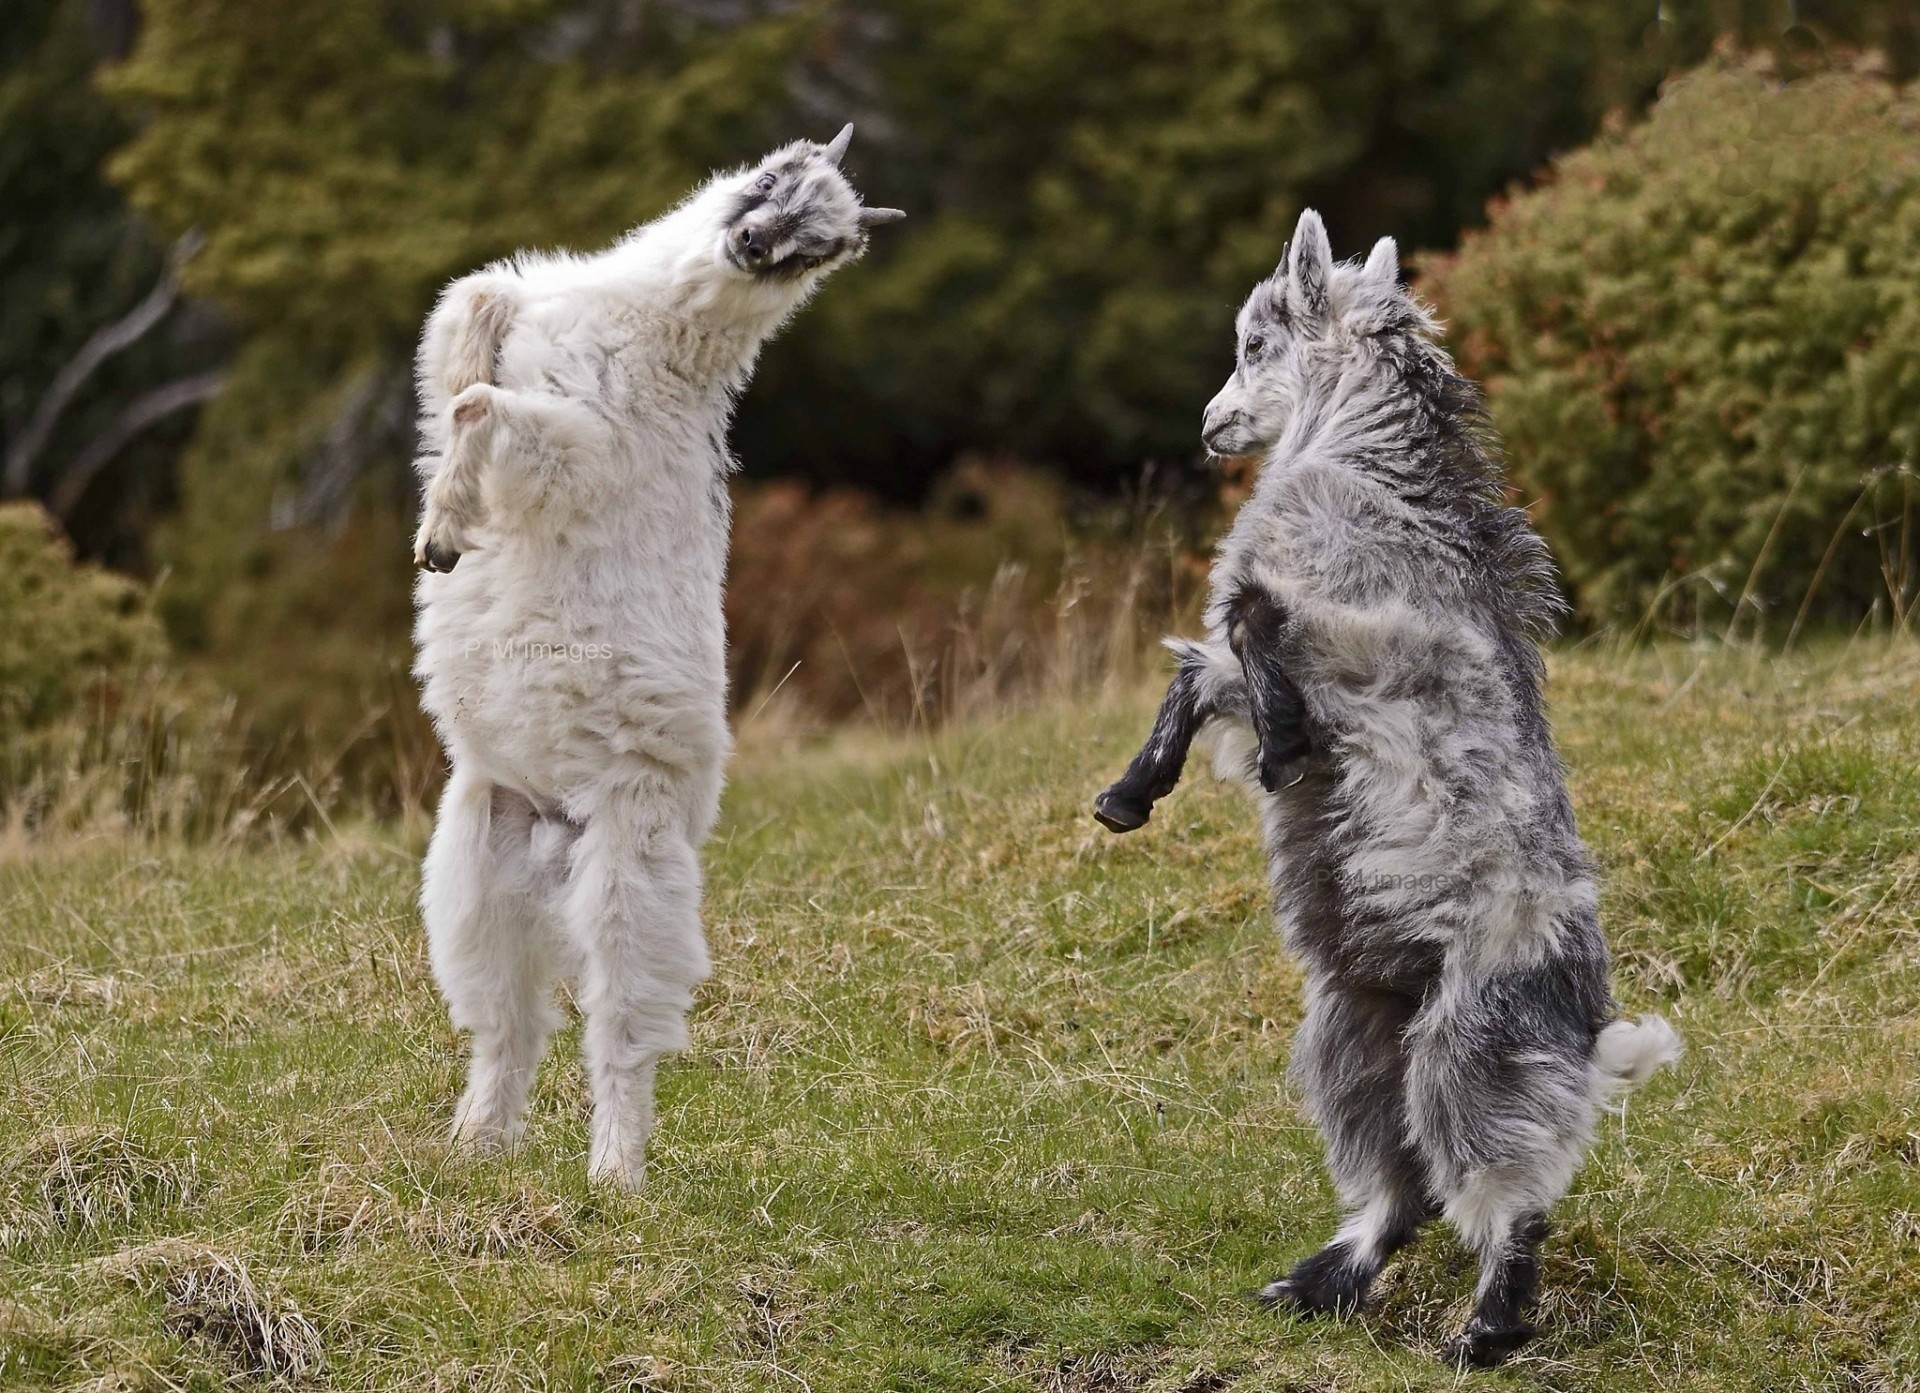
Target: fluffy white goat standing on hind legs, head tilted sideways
(571, 642)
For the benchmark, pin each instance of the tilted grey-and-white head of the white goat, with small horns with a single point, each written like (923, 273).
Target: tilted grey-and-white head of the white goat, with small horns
(796, 214)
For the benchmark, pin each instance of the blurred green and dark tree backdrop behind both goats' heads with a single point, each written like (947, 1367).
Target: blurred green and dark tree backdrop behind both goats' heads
(1093, 183)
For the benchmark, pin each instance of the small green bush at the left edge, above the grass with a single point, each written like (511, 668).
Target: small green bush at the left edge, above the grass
(68, 632)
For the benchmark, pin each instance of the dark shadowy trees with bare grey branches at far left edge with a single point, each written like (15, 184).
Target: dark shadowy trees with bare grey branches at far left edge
(101, 364)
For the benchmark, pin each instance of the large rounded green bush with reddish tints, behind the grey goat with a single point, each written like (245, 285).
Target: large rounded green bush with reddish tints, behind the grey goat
(1702, 346)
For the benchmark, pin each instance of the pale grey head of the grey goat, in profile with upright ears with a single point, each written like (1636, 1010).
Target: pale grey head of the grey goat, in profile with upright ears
(1303, 329)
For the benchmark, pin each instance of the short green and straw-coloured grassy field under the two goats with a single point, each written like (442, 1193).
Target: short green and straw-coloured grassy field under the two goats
(980, 1097)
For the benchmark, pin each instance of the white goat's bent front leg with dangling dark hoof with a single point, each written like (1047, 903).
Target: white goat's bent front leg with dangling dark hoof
(525, 442)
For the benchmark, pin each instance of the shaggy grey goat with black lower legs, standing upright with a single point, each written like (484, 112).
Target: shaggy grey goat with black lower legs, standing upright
(1372, 667)
